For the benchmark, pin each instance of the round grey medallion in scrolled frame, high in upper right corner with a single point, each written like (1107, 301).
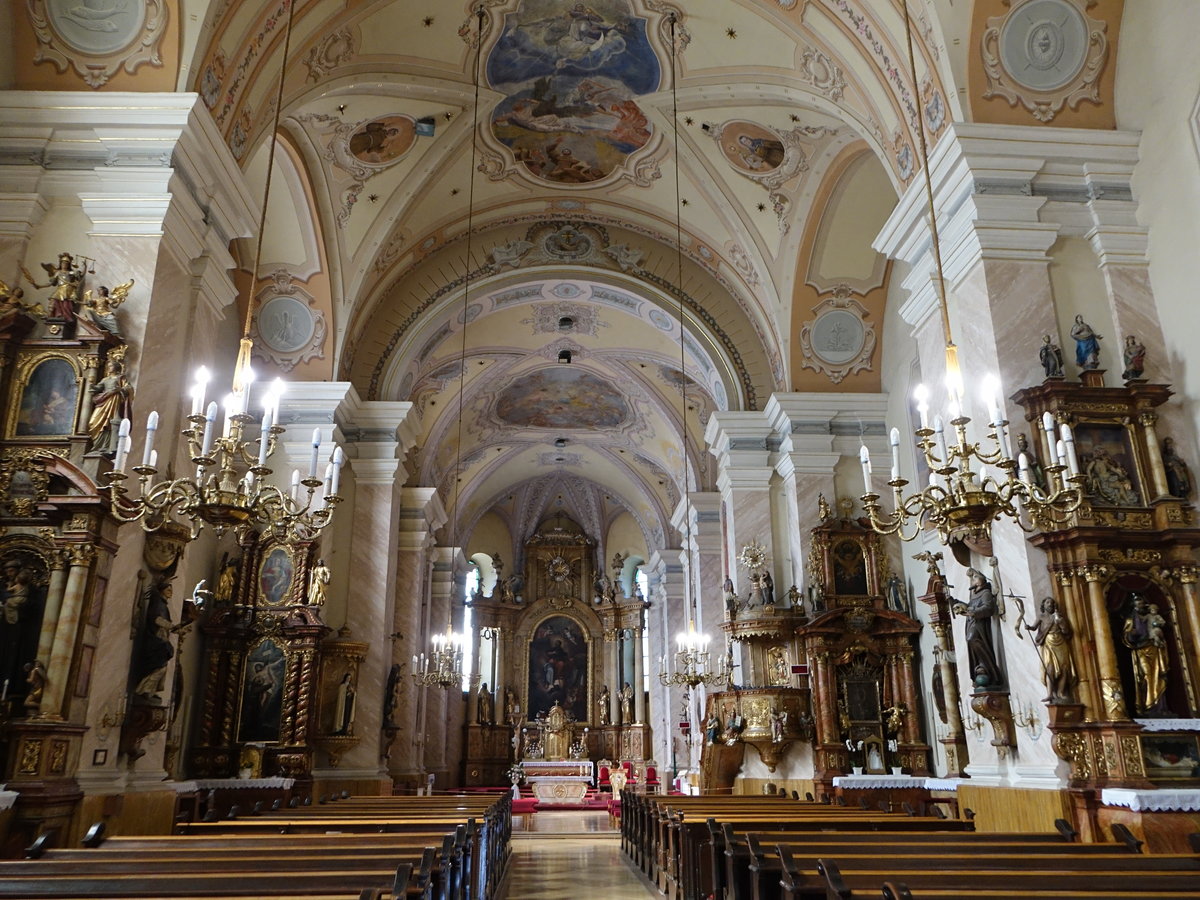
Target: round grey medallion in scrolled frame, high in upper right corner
(1046, 55)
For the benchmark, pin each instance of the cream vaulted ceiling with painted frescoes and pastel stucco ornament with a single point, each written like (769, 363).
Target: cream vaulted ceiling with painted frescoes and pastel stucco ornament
(441, 233)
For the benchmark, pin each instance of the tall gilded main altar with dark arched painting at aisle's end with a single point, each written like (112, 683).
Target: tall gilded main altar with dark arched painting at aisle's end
(560, 650)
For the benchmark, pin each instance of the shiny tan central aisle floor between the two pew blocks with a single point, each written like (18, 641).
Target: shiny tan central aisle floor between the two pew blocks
(573, 855)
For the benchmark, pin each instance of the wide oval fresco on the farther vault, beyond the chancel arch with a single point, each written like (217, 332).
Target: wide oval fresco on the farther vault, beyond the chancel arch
(562, 398)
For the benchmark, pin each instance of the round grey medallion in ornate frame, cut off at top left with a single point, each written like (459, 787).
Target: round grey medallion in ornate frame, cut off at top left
(98, 38)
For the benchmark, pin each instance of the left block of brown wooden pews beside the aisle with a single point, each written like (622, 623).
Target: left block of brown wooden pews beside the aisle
(373, 848)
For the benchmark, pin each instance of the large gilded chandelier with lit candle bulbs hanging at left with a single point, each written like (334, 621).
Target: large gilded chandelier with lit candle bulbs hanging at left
(229, 488)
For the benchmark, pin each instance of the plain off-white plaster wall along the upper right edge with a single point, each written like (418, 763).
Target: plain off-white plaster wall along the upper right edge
(1157, 91)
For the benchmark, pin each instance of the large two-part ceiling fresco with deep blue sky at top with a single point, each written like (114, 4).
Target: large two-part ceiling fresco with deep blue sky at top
(572, 75)
